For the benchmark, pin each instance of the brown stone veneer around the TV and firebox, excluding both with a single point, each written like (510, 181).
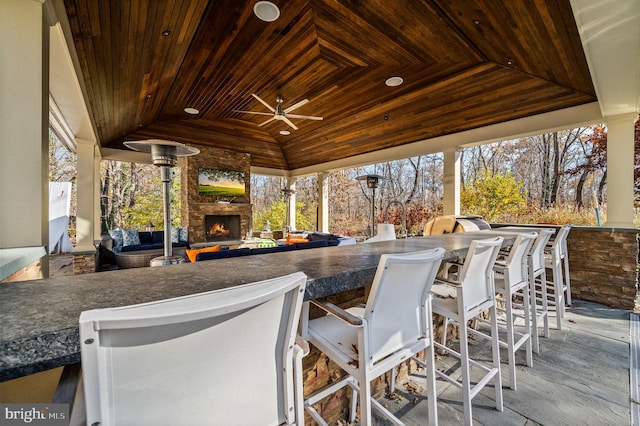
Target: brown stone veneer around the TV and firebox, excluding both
(195, 206)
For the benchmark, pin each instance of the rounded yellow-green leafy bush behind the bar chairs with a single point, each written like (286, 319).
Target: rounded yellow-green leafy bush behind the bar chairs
(494, 197)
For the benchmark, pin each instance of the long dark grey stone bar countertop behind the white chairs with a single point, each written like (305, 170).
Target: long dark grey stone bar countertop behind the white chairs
(39, 318)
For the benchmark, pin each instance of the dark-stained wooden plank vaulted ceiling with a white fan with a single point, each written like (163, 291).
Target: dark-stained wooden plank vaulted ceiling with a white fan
(465, 64)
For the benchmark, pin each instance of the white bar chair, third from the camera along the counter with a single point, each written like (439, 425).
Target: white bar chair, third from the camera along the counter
(460, 301)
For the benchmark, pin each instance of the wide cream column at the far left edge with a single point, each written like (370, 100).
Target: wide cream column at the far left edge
(24, 126)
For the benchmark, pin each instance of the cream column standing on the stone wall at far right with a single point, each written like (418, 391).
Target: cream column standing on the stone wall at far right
(620, 159)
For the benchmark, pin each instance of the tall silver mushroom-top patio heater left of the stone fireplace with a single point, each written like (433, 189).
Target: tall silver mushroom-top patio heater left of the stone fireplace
(164, 155)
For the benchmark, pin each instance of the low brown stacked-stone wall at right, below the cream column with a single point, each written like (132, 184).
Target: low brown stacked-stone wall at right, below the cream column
(603, 265)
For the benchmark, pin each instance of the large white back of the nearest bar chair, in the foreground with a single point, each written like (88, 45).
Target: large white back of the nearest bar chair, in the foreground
(188, 360)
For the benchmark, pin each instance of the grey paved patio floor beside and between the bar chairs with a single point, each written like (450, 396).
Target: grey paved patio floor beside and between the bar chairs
(580, 377)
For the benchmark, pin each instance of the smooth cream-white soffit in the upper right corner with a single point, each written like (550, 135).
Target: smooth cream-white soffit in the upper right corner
(610, 34)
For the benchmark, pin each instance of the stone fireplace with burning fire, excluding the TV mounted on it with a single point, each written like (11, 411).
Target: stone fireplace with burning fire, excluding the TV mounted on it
(201, 213)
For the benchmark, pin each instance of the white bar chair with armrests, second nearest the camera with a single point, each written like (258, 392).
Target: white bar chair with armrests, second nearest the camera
(368, 341)
